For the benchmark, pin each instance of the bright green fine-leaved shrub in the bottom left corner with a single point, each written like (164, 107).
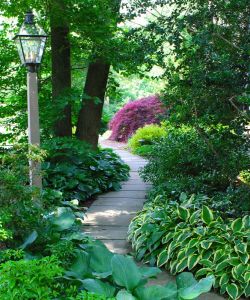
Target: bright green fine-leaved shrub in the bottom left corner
(33, 279)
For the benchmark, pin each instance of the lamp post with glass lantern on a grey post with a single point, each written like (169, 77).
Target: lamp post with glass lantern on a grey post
(30, 42)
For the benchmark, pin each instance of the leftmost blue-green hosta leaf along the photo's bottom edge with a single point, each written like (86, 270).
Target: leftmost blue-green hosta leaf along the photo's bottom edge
(98, 287)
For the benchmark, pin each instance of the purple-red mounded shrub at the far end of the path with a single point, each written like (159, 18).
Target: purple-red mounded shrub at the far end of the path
(135, 115)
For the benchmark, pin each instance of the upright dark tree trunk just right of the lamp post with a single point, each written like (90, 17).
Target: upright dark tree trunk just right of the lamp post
(61, 67)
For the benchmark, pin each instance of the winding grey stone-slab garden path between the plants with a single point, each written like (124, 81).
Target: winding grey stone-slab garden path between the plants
(109, 216)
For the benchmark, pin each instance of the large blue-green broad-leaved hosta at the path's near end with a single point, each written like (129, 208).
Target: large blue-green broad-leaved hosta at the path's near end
(100, 271)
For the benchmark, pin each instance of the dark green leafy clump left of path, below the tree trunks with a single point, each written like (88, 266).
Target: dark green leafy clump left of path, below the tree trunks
(79, 172)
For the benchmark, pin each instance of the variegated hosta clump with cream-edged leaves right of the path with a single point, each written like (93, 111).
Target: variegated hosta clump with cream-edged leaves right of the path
(182, 237)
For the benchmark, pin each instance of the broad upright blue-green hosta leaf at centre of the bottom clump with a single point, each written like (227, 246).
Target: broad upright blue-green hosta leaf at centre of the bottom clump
(125, 272)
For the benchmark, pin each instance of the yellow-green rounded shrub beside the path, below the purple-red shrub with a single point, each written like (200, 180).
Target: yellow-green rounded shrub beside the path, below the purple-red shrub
(146, 136)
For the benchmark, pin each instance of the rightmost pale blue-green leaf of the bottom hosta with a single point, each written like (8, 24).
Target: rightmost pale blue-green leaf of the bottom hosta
(195, 290)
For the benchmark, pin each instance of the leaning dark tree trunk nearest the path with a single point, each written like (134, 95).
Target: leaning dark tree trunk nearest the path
(89, 118)
